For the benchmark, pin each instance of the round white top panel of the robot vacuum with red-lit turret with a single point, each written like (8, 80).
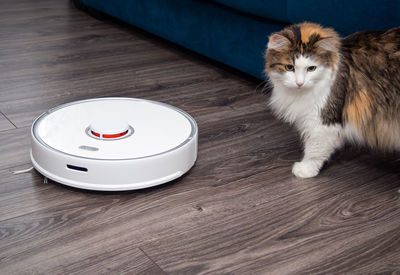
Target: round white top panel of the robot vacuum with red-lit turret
(114, 128)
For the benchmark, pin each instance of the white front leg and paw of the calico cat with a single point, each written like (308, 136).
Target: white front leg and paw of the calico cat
(319, 144)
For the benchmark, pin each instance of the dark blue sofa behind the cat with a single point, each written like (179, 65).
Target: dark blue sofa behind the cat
(235, 32)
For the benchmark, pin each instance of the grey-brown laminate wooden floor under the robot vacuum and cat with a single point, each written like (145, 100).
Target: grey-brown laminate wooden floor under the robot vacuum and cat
(239, 210)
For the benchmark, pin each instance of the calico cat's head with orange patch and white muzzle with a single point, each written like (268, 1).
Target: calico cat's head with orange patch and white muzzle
(301, 55)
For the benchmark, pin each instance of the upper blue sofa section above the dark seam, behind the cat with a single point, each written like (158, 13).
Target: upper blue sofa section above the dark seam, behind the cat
(345, 17)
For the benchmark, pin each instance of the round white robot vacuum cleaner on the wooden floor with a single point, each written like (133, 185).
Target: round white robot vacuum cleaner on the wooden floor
(114, 144)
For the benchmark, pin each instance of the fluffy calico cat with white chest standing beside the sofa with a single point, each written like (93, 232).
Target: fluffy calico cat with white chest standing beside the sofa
(335, 90)
